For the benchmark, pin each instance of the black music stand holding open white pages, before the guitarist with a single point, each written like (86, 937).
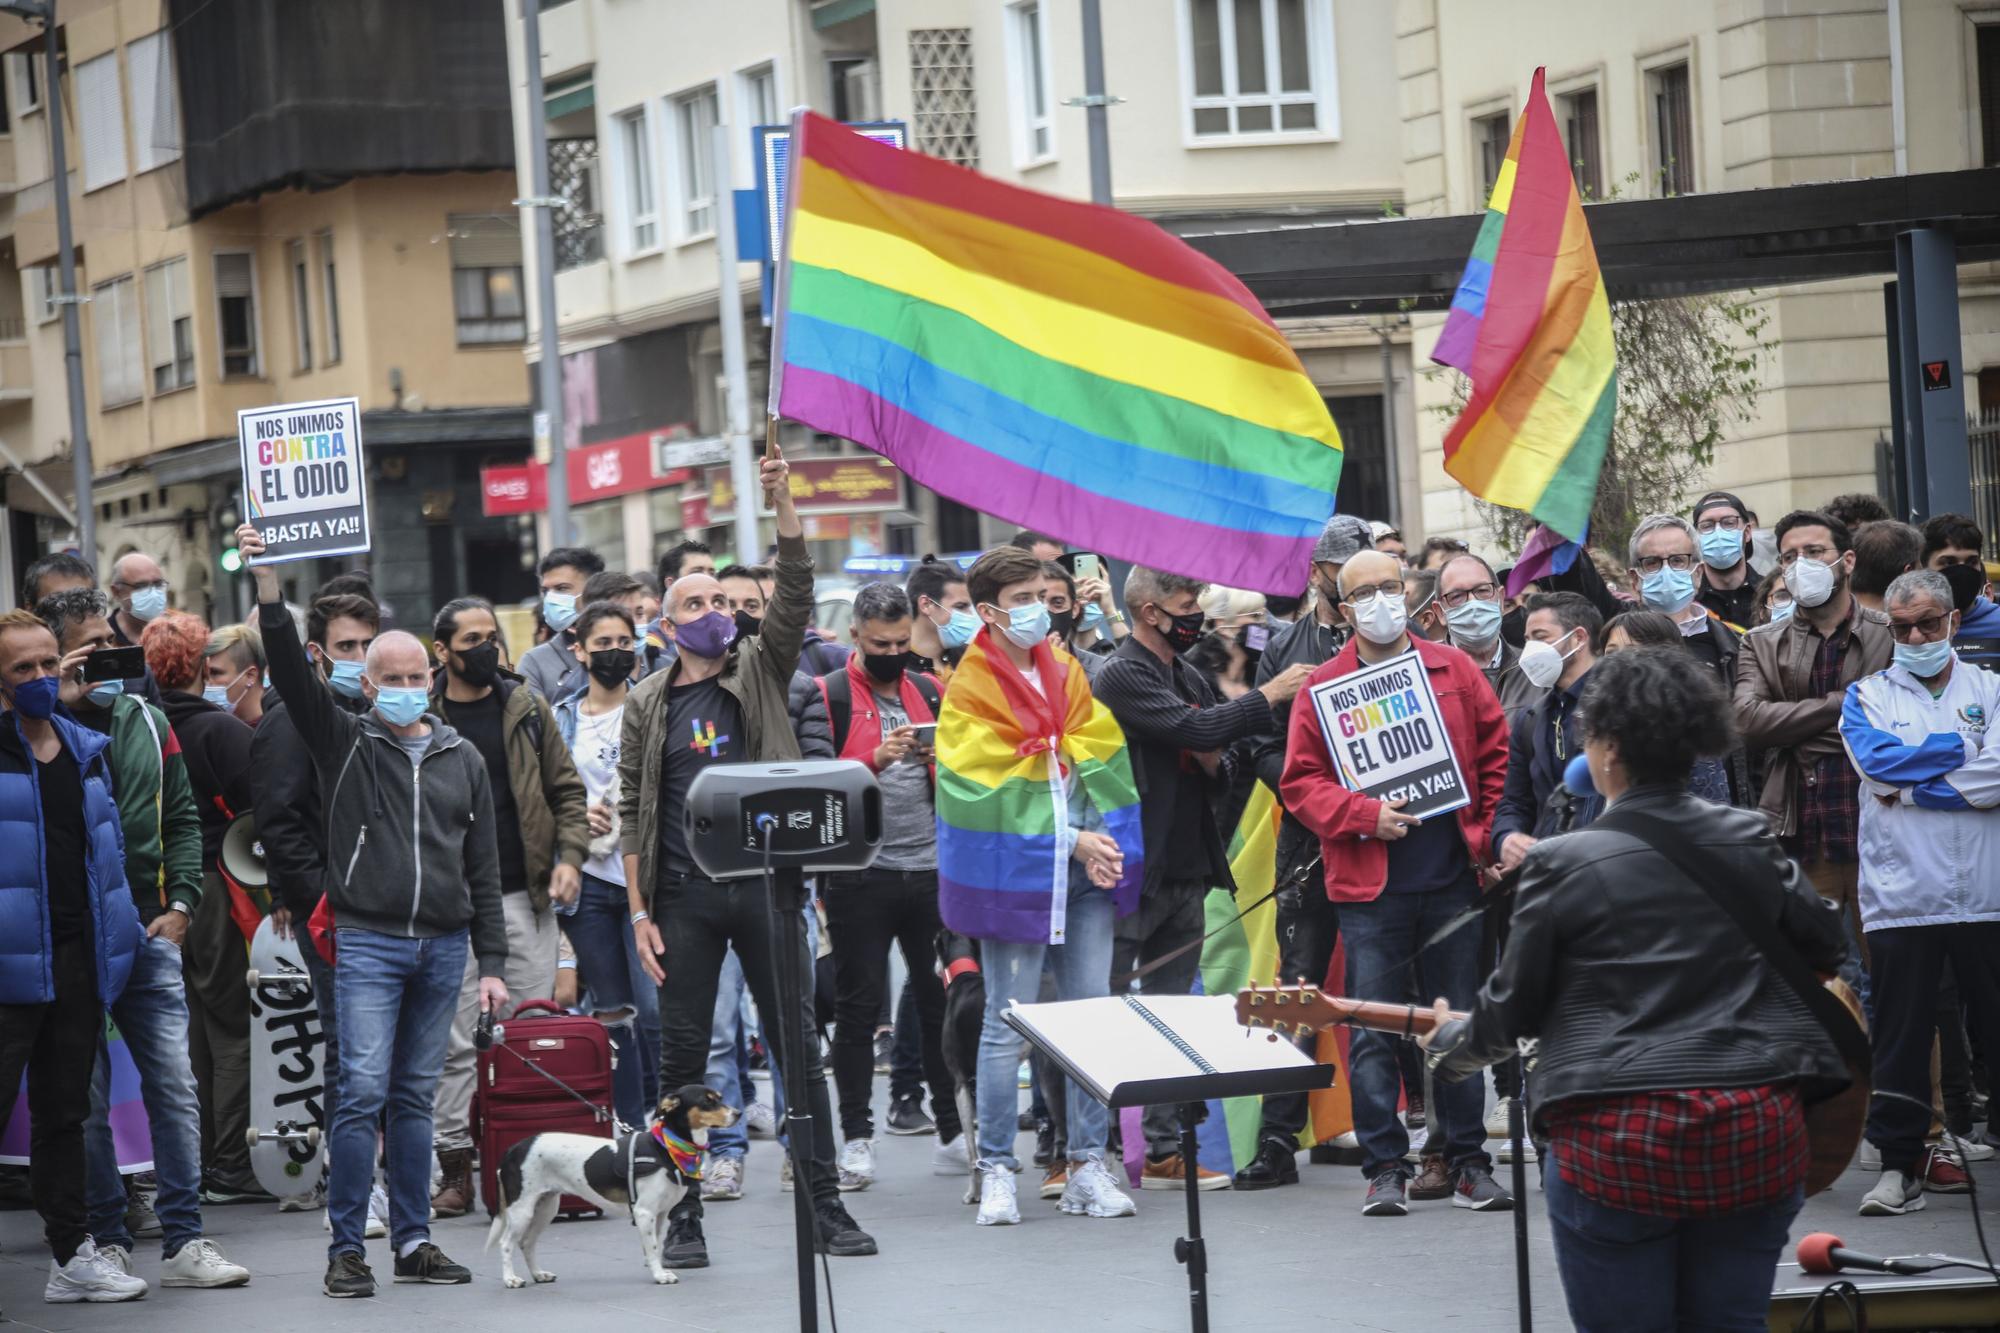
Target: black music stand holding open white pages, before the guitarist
(1183, 1050)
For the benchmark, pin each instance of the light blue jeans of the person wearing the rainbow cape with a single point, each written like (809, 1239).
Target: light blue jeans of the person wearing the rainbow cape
(1013, 972)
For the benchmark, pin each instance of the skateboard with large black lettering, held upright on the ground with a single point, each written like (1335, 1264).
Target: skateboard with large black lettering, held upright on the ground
(287, 1068)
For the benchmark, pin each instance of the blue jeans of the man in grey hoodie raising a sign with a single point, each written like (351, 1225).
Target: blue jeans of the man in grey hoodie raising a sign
(397, 1000)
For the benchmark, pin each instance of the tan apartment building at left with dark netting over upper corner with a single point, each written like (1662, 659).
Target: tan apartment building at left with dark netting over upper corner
(271, 205)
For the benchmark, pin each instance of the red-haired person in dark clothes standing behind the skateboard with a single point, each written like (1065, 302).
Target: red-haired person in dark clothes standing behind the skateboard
(217, 748)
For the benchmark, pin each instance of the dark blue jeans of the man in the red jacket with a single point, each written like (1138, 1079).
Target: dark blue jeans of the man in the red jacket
(1381, 938)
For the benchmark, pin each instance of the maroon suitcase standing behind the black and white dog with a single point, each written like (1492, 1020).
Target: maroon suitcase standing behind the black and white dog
(515, 1100)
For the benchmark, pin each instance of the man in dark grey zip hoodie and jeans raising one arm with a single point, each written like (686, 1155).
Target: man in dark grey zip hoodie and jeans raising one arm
(413, 886)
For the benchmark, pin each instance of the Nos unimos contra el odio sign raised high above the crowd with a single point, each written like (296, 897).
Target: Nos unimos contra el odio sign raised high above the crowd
(305, 485)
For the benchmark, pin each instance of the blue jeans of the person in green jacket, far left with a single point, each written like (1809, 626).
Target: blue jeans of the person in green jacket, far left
(153, 1018)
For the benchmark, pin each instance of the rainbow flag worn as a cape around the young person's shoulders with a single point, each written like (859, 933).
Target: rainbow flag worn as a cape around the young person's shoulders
(1005, 760)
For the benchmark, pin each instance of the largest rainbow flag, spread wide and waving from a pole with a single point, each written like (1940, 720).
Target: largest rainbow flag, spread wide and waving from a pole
(1061, 365)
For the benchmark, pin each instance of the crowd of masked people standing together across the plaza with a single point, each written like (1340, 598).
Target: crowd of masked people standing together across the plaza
(485, 828)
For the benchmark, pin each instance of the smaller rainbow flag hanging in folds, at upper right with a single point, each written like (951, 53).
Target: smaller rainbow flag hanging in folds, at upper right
(1533, 329)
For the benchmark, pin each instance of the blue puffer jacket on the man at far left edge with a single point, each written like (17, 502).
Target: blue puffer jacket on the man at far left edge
(25, 946)
